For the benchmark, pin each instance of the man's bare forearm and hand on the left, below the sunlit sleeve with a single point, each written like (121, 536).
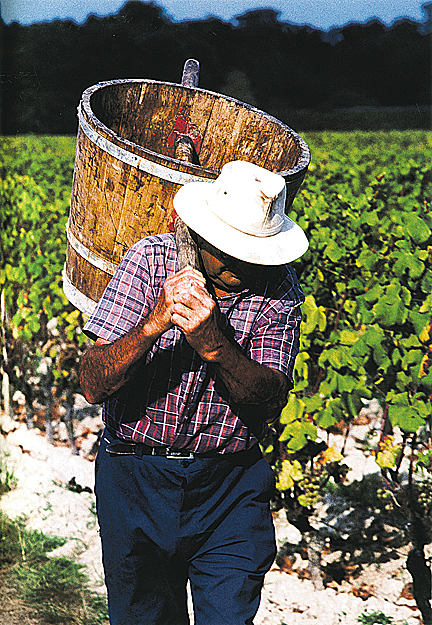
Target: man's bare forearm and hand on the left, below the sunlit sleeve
(107, 366)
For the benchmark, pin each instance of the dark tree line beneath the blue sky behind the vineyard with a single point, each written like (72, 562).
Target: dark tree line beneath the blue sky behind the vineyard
(255, 58)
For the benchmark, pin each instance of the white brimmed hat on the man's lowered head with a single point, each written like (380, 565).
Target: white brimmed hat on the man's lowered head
(242, 214)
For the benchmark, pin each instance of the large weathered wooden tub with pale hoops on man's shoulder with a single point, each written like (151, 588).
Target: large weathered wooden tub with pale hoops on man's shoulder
(126, 175)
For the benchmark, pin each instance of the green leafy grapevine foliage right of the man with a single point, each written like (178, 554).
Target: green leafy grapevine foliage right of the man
(366, 206)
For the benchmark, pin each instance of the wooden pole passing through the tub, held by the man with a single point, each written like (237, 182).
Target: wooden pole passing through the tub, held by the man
(187, 251)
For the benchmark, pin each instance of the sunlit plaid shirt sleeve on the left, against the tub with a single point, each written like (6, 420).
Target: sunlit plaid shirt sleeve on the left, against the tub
(126, 300)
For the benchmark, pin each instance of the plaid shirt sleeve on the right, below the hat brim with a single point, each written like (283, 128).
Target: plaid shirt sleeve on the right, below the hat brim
(275, 342)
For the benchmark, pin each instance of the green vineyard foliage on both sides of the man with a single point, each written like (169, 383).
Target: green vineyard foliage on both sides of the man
(365, 205)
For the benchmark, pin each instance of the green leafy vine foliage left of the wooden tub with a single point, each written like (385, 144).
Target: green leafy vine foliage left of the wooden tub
(35, 193)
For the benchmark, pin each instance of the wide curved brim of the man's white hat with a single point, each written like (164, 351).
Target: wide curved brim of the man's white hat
(190, 203)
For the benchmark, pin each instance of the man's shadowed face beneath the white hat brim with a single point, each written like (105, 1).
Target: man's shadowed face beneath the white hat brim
(228, 274)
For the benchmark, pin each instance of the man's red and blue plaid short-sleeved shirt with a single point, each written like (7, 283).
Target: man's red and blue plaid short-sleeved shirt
(176, 399)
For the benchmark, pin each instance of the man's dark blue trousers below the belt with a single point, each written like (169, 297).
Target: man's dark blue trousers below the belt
(165, 521)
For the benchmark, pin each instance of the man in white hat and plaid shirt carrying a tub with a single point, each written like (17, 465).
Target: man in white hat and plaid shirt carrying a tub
(191, 365)
